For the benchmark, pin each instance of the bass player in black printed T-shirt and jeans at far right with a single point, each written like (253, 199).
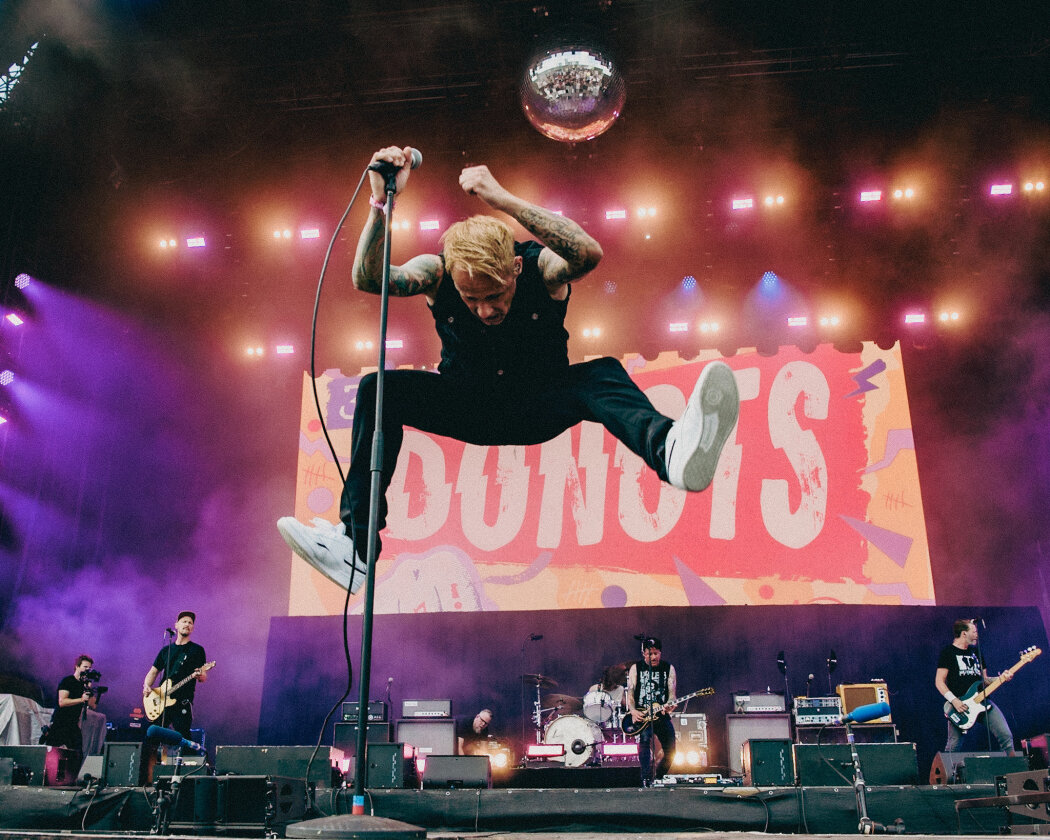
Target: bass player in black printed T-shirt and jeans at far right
(959, 668)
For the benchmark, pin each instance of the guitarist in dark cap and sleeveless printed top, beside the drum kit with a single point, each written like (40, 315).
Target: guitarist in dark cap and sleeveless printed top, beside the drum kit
(653, 682)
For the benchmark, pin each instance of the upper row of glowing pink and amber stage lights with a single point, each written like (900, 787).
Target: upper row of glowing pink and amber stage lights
(739, 204)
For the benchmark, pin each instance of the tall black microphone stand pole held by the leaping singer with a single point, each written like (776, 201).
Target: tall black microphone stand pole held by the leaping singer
(374, 503)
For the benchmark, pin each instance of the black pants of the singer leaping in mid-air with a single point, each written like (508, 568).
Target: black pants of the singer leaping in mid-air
(506, 414)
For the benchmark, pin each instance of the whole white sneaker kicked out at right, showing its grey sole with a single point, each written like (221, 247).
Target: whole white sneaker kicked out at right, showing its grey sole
(696, 440)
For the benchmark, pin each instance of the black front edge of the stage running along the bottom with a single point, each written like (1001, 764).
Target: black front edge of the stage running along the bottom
(928, 810)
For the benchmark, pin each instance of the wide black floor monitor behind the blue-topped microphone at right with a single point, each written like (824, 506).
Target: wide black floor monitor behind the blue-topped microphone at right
(831, 765)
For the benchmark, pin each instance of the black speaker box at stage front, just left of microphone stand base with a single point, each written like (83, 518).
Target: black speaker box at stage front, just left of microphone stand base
(259, 803)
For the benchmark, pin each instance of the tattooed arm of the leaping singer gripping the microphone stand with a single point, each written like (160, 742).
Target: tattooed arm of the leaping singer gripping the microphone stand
(422, 275)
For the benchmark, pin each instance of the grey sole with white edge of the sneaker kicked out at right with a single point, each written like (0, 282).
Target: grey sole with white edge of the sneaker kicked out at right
(717, 396)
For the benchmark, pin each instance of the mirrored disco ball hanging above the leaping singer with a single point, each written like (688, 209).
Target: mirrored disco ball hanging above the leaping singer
(572, 93)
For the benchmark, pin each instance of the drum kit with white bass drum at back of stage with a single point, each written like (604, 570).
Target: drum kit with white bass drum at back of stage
(581, 726)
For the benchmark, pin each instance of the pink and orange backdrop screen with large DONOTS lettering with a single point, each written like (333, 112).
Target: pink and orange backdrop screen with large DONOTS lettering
(816, 499)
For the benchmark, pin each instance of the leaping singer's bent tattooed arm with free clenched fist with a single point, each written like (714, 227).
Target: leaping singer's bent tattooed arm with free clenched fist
(570, 254)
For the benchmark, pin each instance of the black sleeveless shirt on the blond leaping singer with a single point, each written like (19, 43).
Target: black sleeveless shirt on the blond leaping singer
(530, 346)
